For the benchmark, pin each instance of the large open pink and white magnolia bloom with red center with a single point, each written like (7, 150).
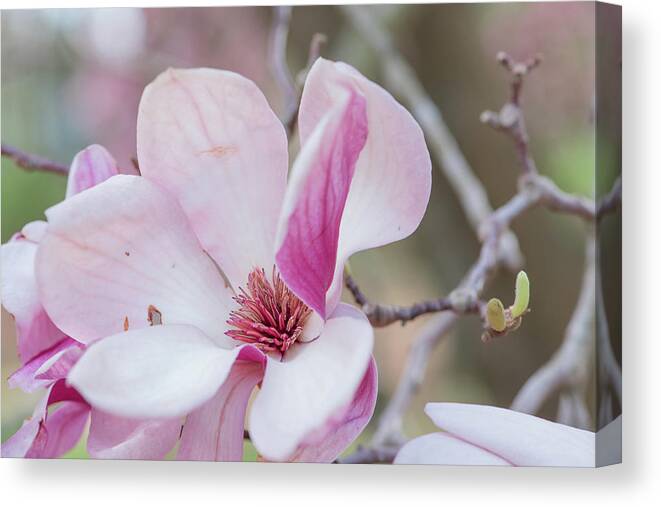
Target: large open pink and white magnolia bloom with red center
(211, 274)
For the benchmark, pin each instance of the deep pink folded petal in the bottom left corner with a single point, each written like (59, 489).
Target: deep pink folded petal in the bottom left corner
(47, 435)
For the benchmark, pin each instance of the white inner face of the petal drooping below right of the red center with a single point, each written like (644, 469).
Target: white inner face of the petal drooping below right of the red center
(316, 380)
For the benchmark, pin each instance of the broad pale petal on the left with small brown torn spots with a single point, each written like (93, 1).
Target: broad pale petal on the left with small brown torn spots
(121, 252)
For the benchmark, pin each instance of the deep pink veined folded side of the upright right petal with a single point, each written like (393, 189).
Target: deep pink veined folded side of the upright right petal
(315, 200)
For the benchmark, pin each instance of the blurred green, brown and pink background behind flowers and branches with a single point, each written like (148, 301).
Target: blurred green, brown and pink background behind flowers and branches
(74, 77)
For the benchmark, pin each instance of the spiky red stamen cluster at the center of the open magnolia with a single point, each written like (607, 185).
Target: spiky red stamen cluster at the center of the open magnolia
(270, 316)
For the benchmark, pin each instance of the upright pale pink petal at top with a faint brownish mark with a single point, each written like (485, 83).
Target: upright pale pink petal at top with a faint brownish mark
(210, 137)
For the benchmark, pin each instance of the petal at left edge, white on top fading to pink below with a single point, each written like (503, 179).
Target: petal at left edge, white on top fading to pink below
(20, 296)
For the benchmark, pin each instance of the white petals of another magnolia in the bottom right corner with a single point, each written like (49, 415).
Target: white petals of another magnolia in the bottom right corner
(484, 435)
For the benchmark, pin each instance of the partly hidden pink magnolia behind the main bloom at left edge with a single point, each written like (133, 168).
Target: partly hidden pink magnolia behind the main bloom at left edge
(47, 355)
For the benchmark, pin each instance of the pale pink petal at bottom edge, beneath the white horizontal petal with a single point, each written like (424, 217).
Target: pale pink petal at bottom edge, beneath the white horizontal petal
(113, 437)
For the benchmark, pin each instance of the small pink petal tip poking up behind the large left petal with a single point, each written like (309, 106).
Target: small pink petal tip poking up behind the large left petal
(90, 167)
